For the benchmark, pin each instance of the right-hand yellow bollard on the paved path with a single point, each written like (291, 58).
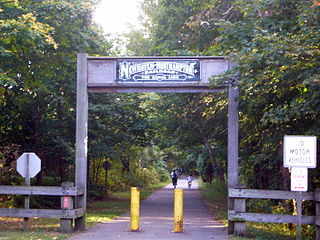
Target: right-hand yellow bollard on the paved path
(178, 210)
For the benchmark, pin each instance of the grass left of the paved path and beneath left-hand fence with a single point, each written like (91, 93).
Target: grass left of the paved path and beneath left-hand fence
(113, 205)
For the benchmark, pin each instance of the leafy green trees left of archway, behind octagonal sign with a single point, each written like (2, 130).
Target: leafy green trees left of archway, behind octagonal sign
(39, 42)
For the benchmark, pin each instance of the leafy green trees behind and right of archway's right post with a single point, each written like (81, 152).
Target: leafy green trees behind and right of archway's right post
(276, 46)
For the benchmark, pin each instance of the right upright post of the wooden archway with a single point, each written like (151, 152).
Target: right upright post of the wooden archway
(233, 126)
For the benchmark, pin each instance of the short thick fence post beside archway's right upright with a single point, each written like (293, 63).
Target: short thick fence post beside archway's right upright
(240, 207)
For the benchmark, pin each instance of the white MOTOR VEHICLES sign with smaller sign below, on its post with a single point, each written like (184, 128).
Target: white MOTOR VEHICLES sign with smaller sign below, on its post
(299, 154)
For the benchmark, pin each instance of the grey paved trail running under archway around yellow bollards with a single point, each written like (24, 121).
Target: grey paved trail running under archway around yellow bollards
(156, 220)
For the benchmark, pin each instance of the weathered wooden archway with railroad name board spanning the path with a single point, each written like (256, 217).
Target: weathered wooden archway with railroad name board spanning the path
(148, 74)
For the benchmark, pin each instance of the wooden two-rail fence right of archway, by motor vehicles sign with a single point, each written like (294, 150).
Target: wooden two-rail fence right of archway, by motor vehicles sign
(238, 215)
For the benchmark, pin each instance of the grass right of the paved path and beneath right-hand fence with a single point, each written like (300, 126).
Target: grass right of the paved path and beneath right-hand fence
(215, 196)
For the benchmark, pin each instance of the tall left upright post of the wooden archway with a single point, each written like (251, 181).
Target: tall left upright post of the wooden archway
(81, 138)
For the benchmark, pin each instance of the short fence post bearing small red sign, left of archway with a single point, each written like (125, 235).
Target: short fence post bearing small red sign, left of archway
(66, 224)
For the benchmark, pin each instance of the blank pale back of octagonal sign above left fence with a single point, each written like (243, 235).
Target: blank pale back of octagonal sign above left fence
(28, 162)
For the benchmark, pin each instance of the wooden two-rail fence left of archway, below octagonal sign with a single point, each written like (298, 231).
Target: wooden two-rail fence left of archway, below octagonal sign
(67, 213)
